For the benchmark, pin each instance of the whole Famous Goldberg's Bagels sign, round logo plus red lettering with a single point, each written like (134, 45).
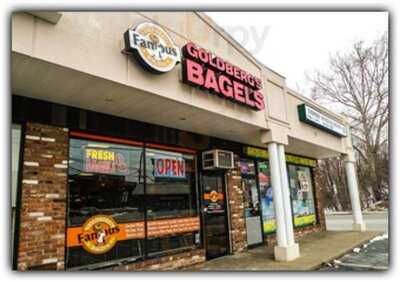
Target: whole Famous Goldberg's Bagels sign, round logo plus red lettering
(156, 52)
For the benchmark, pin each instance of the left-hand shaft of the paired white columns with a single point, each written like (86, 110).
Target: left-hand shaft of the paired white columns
(277, 195)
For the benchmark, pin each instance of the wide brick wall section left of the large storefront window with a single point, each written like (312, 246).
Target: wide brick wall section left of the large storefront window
(43, 198)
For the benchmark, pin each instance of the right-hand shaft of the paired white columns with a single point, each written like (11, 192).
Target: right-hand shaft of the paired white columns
(286, 195)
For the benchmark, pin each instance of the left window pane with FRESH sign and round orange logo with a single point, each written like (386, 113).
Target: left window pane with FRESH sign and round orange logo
(105, 206)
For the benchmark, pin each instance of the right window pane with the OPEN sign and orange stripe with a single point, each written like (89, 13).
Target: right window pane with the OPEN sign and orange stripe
(172, 220)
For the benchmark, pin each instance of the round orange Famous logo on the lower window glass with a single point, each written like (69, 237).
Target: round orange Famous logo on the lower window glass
(99, 234)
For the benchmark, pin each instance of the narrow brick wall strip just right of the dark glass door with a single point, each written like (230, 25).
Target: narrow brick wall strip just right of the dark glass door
(236, 209)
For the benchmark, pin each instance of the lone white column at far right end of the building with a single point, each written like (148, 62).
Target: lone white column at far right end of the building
(358, 222)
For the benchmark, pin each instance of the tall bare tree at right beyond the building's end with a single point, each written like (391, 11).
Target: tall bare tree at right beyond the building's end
(356, 85)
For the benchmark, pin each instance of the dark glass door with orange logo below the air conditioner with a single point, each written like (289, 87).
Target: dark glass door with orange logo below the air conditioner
(214, 214)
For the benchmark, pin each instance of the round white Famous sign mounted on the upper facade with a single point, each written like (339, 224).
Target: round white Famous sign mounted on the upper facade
(152, 47)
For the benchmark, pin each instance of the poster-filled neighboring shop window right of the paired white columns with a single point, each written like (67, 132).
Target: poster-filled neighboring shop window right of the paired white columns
(301, 190)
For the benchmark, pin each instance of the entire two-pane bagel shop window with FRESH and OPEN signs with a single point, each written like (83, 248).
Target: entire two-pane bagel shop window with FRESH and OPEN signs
(121, 206)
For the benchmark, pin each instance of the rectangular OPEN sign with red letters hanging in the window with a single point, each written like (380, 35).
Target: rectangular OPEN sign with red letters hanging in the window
(169, 168)
